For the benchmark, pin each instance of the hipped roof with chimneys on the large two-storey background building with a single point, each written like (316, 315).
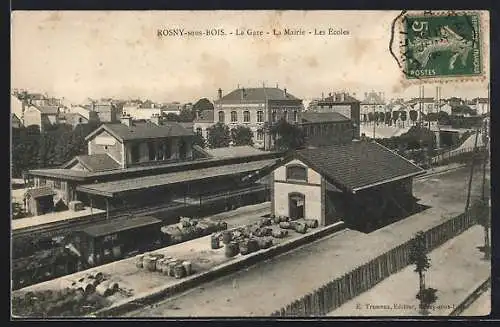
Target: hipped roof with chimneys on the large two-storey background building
(257, 94)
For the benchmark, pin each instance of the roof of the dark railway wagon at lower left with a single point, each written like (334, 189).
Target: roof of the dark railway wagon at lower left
(120, 225)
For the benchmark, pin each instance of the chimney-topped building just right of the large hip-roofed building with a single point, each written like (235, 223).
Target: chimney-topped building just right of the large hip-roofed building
(344, 104)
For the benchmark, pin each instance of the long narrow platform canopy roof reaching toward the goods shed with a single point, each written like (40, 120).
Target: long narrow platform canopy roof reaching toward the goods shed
(113, 188)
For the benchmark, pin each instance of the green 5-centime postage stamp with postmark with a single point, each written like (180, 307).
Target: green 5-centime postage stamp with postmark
(445, 45)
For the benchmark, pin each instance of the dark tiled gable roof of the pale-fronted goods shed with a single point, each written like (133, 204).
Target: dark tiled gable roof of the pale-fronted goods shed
(358, 165)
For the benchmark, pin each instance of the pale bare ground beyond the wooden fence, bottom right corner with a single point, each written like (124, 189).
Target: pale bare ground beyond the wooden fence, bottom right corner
(395, 296)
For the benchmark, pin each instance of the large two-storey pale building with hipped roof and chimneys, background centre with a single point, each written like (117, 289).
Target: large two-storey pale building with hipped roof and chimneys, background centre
(254, 107)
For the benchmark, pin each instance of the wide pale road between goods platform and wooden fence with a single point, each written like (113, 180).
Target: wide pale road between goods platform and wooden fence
(269, 285)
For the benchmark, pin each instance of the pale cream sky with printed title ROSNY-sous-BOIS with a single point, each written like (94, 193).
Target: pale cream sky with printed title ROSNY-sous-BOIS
(95, 54)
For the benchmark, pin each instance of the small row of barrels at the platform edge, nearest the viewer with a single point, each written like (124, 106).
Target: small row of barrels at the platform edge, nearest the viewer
(166, 265)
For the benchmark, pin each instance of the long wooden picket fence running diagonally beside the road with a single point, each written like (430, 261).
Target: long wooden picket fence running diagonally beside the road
(332, 295)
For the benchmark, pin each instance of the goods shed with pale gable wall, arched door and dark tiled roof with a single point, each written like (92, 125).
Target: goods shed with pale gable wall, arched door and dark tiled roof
(361, 183)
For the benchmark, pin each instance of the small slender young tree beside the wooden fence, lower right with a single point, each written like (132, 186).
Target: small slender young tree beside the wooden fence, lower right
(419, 257)
